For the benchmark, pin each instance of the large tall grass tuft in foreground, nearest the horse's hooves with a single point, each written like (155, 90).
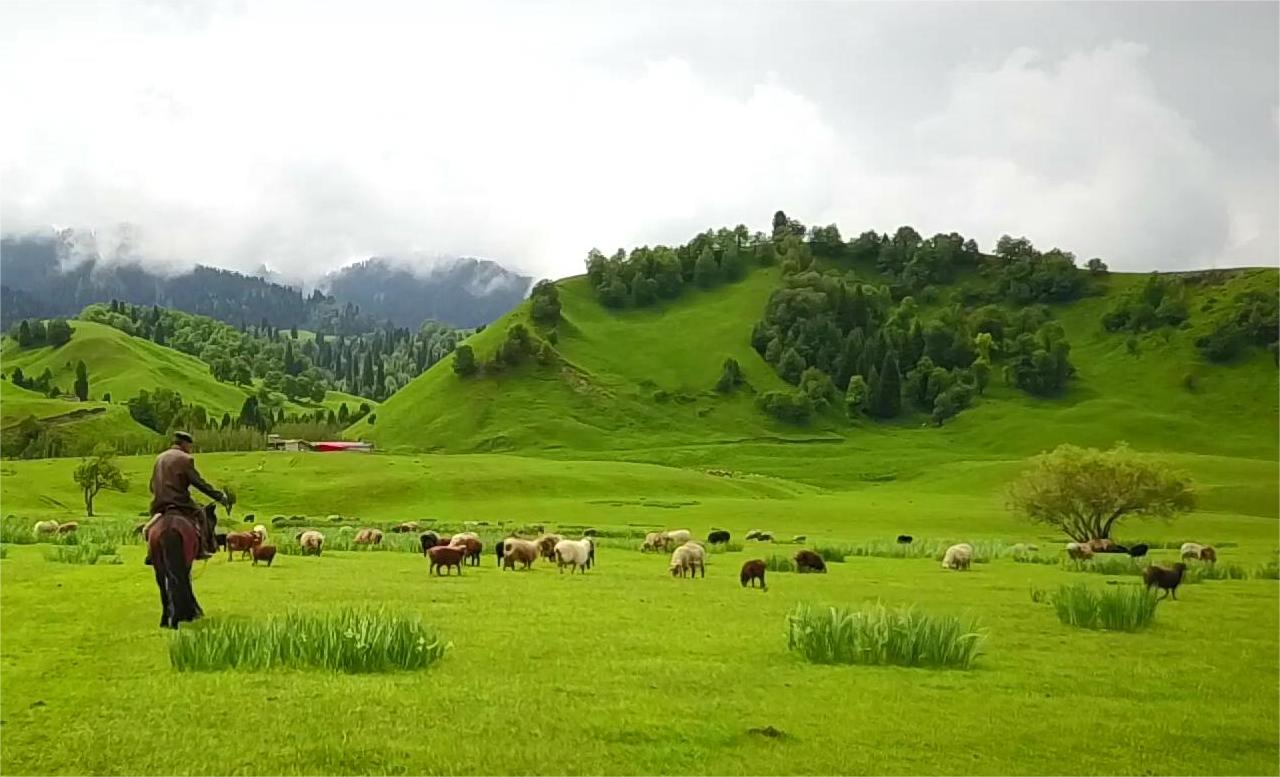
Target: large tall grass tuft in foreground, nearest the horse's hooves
(349, 641)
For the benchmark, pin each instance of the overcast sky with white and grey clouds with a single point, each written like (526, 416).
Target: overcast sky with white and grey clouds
(303, 136)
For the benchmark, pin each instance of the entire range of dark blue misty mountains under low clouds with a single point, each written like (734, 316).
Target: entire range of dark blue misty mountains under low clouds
(56, 276)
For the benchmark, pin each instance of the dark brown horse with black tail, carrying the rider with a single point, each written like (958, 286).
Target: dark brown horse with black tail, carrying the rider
(173, 542)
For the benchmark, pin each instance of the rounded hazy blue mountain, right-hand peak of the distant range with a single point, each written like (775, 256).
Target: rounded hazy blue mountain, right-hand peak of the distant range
(463, 292)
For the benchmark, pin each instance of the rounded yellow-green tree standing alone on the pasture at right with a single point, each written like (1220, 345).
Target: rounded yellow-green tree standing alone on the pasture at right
(1086, 492)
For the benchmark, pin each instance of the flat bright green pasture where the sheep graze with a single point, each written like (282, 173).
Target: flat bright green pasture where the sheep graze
(625, 670)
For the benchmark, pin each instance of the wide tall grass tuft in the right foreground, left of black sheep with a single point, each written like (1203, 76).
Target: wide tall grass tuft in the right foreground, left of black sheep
(877, 636)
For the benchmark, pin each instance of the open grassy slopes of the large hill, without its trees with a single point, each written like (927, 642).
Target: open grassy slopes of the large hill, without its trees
(639, 385)
